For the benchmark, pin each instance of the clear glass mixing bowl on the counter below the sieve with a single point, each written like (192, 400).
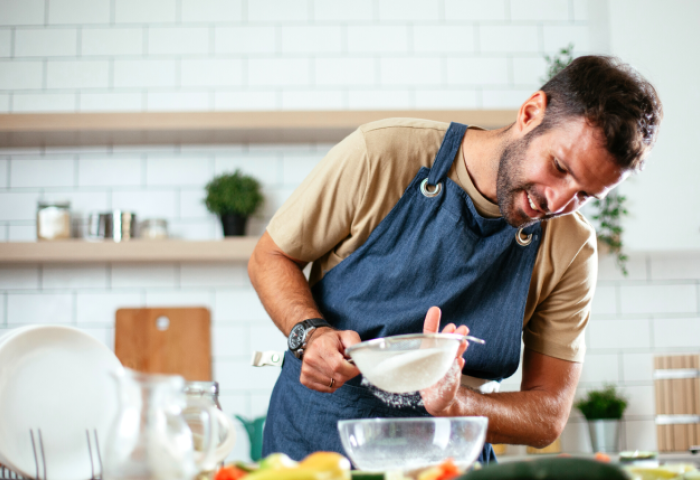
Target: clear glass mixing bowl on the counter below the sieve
(406, 444)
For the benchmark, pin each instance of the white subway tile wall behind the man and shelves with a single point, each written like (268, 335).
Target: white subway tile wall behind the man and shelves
(149, 55)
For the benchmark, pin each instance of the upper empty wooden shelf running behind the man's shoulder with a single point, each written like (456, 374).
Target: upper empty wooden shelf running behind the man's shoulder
(149, 128)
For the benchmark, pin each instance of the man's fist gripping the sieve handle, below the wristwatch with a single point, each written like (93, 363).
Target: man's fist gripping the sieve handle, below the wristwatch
(324, 359)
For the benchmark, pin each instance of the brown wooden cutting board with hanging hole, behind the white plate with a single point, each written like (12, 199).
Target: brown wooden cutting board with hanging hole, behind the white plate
(165, 340)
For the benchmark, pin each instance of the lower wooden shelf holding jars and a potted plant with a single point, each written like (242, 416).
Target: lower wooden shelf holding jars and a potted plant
(236, 249)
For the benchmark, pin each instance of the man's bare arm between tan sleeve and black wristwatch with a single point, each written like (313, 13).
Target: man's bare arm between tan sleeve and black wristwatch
(281, 286)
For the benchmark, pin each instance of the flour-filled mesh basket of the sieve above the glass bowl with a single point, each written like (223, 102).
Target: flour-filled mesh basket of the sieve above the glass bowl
(405, 363)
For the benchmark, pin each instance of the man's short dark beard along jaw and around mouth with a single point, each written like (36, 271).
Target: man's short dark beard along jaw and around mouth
(509, 185)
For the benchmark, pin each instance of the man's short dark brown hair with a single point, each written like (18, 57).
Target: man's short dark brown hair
(612, 96)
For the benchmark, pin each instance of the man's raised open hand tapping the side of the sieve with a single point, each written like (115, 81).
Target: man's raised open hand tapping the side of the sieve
(440, 397)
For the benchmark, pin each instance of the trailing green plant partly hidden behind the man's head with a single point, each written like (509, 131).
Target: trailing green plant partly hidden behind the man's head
(608, 212)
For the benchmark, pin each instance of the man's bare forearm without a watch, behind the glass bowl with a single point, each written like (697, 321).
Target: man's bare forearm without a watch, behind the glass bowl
(522, 418)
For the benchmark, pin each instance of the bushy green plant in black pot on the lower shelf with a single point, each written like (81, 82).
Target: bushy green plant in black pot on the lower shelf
(234, 197)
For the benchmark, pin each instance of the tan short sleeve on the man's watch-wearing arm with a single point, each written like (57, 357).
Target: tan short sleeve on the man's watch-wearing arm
(320, 212)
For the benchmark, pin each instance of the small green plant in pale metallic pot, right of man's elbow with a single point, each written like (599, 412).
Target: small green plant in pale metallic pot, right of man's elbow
(603, 410)
